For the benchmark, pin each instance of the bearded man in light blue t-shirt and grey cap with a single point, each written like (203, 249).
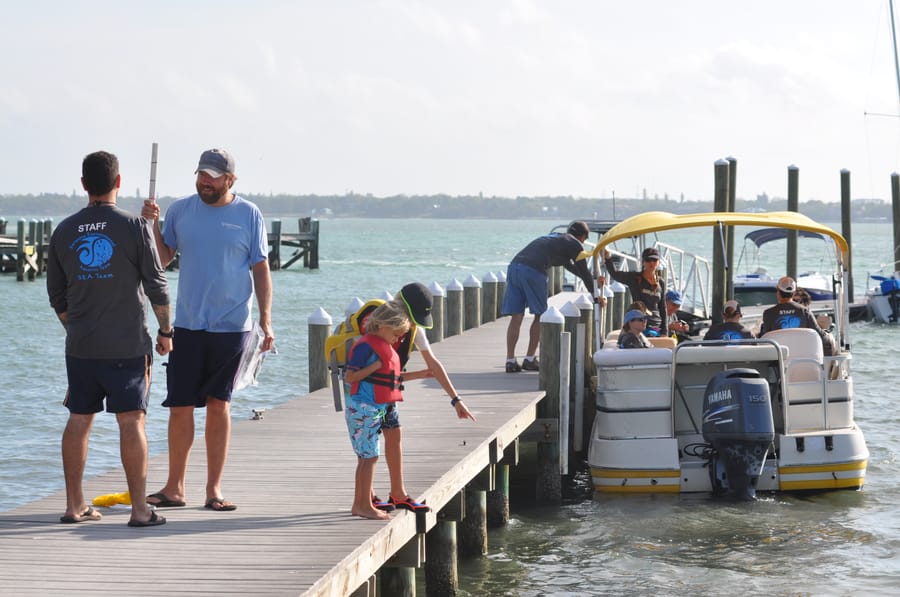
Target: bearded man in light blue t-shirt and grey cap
(222, 244)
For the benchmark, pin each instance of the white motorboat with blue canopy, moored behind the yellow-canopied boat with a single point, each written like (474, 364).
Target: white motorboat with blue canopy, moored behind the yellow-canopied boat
(755, 286)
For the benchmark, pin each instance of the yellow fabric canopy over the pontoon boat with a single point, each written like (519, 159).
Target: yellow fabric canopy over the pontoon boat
(657, 221)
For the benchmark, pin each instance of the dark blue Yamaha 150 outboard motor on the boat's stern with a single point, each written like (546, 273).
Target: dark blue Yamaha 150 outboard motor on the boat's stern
(737, 422)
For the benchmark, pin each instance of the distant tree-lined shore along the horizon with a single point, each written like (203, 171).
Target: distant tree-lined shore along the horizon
(446, 206)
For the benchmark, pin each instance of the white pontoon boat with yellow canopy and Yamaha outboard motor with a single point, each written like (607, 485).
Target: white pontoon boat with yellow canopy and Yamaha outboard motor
(769, 414)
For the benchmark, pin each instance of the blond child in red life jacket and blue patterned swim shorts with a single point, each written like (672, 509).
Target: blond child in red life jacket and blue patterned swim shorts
(376, 380)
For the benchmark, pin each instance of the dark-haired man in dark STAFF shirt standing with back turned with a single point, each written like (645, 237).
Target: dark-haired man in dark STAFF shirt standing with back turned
(102, 267)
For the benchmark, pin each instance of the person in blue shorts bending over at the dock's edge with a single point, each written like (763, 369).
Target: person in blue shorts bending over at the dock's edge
(527, 286)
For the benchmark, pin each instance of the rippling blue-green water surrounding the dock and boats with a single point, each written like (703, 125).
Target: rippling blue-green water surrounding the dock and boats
(839, 543)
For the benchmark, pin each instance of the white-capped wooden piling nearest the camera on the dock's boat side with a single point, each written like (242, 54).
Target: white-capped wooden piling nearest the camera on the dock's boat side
(549, 484)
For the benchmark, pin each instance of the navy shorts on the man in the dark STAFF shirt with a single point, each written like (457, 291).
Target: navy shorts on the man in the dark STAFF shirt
(123, 383)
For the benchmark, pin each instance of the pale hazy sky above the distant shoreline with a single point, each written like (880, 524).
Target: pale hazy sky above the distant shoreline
(582, 98)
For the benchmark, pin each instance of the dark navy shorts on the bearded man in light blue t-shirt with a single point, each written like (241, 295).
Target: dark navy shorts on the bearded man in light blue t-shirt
(202, 364)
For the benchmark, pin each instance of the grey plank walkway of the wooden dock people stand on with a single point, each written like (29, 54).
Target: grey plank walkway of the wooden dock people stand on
(291, 474)
